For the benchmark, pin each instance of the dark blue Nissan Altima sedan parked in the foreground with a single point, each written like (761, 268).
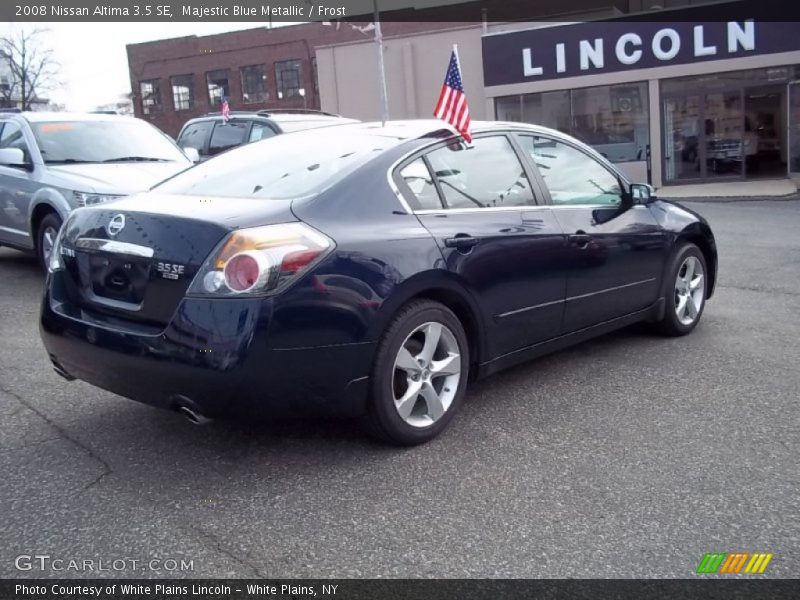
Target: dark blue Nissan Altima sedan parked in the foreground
(365, 271)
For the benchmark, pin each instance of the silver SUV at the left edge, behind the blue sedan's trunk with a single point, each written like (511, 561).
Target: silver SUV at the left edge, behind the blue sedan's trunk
(51, 163)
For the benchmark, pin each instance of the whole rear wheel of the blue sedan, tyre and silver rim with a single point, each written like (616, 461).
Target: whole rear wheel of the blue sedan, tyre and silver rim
(419, 377)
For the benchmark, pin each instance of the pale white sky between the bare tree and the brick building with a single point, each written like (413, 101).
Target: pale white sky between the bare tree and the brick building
(94, 64)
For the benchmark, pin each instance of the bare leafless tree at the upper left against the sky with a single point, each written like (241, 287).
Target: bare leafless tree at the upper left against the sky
(31, 67)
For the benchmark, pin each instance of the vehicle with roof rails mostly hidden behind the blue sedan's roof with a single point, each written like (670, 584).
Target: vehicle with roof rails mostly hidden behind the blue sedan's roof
(211, 134)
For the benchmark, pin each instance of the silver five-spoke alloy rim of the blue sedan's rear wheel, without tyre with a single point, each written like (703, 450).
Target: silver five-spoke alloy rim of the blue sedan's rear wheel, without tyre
(426, 374)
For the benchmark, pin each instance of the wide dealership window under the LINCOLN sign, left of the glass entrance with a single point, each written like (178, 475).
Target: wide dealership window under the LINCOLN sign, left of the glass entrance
(612, 119)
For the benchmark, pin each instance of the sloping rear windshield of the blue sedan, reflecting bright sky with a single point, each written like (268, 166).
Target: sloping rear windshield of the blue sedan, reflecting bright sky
(281, 167)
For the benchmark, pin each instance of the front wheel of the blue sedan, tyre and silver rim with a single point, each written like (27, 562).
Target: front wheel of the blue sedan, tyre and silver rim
(685, 291)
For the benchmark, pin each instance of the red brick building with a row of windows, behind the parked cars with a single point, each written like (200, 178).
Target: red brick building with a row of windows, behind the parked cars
(176, 79)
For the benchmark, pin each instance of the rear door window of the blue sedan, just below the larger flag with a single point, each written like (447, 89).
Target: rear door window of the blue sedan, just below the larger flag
(487, 174)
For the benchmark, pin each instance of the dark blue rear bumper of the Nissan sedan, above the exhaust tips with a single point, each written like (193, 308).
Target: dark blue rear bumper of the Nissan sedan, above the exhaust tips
(216, 353)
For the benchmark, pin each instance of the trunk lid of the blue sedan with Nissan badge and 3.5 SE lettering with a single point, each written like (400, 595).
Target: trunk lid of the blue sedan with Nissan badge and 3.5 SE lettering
(135, 258)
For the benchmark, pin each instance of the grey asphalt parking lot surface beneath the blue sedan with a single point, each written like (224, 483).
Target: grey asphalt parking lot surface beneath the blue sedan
(629, 456)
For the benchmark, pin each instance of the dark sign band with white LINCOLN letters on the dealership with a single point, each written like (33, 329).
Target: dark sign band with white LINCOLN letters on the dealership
(605, 47)
